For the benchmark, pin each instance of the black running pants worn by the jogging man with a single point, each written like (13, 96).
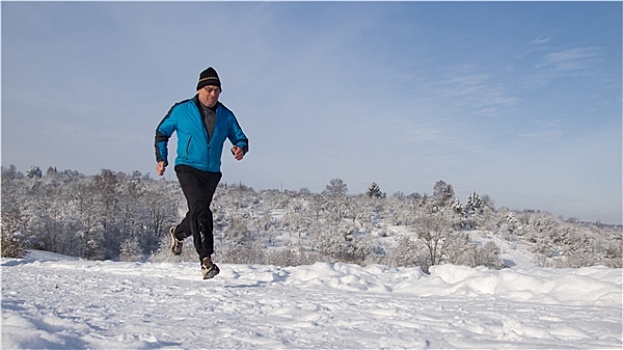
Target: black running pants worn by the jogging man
(198, 187)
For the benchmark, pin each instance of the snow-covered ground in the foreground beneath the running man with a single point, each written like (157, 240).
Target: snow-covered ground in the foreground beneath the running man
(55, 302)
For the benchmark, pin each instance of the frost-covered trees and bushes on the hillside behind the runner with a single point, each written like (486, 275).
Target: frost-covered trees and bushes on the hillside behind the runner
(113, 215)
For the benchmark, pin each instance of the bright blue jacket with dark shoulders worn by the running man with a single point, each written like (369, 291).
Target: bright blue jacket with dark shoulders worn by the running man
(194, 147)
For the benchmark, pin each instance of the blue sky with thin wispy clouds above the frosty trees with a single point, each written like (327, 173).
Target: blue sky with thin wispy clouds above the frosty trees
(520, 101)
